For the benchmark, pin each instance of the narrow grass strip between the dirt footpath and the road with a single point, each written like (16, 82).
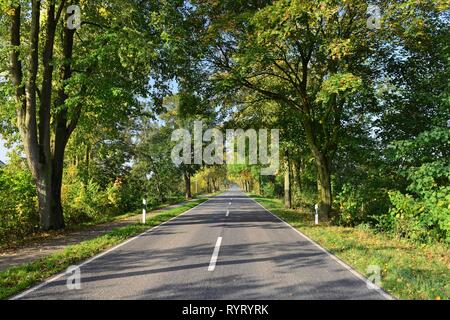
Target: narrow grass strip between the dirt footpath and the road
(19, 278)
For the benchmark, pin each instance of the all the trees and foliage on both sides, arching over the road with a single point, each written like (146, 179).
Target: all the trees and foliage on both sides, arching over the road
(359, 91)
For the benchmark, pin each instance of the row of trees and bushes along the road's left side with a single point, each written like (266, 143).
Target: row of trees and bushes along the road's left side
(84, 106)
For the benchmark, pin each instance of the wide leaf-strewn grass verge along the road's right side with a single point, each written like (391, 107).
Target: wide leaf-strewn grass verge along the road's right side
(408, 270)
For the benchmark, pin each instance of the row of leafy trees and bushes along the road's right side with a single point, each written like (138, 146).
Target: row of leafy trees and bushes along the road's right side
(363, 111)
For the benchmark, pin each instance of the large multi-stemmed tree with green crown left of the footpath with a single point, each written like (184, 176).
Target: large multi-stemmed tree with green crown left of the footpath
(57, 74)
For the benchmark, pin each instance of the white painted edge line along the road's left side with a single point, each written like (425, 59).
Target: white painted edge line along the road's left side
(39, 286)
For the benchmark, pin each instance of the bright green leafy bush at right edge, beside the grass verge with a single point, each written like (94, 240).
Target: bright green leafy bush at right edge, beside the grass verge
(422, 212)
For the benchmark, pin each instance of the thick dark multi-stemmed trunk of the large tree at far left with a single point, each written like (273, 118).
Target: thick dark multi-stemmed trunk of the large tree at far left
(45, 155)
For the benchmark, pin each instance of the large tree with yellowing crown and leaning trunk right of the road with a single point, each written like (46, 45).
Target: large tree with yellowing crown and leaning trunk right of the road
(298, 53)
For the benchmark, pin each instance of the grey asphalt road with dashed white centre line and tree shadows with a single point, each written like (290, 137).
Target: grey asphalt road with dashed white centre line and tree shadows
(208, 253)
